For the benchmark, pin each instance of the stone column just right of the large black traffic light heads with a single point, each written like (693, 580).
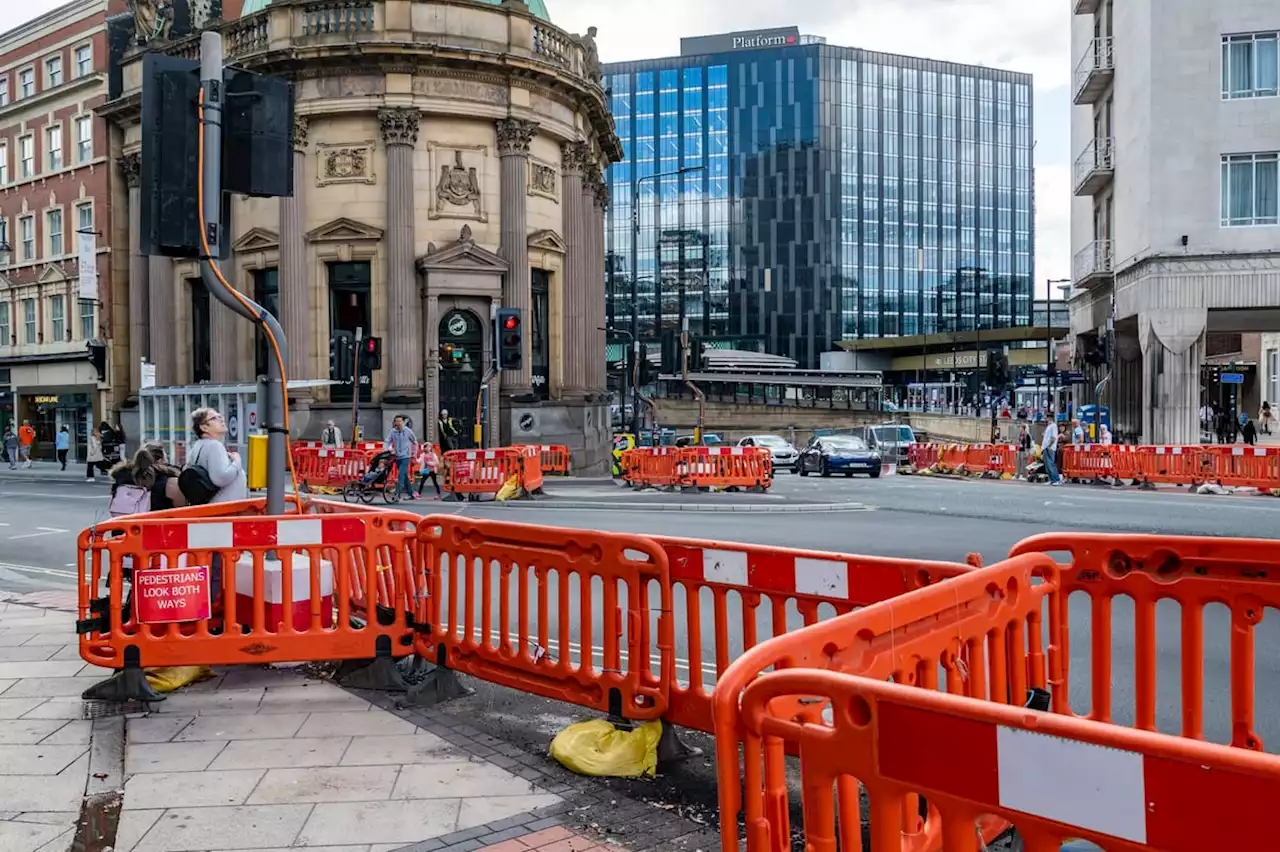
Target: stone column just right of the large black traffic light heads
(295, 285)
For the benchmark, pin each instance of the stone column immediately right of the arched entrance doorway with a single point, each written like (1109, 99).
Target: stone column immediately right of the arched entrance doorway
(514, 140)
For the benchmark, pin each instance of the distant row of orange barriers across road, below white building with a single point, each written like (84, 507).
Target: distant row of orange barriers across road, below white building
(1229, 466)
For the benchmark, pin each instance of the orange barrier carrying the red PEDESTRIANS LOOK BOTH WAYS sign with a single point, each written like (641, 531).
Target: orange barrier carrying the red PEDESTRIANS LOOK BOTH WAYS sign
(258, 610)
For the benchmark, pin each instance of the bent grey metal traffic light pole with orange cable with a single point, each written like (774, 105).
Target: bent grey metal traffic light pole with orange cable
(212, 84)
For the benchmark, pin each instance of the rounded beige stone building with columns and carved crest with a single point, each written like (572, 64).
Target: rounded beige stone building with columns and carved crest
(449, 161)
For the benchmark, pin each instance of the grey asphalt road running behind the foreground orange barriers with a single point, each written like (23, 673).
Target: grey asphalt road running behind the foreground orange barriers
(907, 517)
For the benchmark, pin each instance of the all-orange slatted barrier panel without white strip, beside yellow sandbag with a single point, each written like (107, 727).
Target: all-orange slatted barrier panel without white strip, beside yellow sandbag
(505, 599)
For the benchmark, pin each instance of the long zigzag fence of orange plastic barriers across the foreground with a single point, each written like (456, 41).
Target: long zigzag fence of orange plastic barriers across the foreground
(939, 689)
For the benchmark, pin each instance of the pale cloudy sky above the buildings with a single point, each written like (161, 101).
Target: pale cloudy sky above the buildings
(1031, 36)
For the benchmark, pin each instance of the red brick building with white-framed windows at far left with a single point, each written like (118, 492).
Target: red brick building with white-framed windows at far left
(57, 178)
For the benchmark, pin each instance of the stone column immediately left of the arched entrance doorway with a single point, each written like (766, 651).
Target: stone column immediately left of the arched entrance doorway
(404, 345)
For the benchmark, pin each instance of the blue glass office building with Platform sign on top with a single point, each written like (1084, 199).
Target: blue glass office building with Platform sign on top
(780, 195)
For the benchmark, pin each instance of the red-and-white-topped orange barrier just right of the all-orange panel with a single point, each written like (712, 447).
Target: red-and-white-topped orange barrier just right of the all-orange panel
(771, 592)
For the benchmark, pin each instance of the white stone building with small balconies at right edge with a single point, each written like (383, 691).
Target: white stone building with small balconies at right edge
(1176, 223)
